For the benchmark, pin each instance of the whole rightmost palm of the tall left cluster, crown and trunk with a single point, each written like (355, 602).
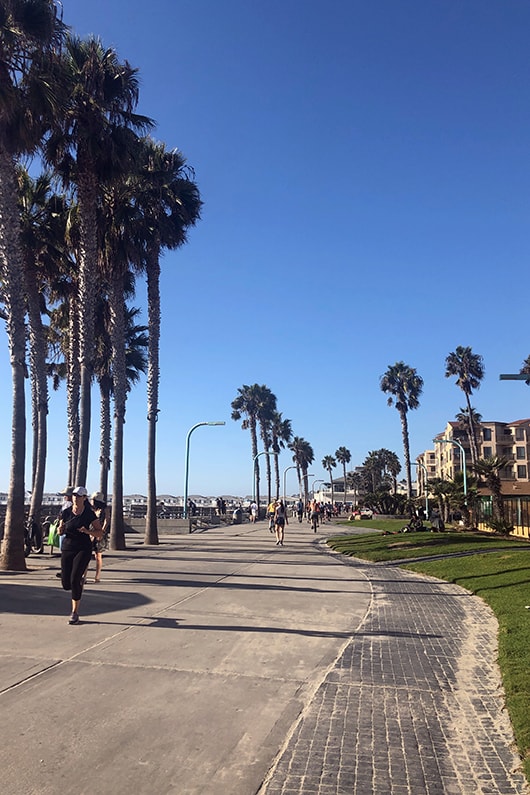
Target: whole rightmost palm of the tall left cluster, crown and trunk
(170, 203)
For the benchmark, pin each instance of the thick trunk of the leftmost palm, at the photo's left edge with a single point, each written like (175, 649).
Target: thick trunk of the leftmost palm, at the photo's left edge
(12, 271)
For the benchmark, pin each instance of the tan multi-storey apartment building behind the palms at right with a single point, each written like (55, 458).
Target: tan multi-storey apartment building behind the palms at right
(451, 449)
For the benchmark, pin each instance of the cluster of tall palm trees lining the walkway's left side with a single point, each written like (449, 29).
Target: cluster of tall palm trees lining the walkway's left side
(72, 243)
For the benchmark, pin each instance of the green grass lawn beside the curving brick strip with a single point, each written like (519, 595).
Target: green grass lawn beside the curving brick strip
(493, 568)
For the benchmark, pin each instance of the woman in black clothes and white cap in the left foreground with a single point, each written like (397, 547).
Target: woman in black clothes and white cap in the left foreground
(77, 524)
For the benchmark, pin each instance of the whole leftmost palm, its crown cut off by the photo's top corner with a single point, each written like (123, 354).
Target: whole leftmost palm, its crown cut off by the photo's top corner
(25, 98)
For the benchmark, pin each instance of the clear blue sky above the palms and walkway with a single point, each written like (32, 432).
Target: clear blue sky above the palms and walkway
(365, 173)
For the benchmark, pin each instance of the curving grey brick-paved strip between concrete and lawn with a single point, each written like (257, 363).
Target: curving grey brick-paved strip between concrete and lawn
(413, 705)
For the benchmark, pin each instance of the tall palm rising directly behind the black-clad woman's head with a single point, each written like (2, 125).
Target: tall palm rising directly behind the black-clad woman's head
(93, 143)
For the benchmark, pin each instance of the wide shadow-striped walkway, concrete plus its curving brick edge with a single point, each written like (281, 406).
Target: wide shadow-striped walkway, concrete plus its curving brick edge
(218, 663)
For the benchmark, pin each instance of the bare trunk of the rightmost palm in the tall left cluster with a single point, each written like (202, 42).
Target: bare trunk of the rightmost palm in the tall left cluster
(153, 380)
